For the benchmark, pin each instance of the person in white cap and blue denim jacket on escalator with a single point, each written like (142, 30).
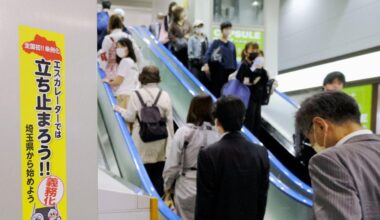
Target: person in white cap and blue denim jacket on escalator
(197, 47)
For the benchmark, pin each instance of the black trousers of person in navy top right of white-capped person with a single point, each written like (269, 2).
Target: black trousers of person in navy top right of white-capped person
(219, 77)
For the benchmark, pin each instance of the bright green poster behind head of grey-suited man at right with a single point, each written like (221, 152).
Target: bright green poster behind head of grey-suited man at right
(363, 96)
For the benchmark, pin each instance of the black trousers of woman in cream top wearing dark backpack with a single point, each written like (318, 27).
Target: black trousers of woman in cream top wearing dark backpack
(154, 171)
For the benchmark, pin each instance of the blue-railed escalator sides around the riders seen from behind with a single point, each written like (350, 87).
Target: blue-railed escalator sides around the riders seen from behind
(288, 197)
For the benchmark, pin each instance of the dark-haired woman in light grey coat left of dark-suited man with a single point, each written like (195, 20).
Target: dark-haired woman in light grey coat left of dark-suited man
(181, 166)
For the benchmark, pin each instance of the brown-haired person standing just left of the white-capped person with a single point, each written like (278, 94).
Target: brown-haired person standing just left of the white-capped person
(179, 33)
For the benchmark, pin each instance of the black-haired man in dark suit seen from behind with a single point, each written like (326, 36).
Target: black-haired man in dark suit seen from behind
(233, 174)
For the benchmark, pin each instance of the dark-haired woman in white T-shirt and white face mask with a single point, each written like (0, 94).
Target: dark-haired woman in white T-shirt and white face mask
(126, 80)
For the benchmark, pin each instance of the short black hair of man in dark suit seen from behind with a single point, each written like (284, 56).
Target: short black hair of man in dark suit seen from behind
(230, 112)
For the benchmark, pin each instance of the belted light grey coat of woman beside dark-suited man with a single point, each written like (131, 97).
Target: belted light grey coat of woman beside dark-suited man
(186, 157)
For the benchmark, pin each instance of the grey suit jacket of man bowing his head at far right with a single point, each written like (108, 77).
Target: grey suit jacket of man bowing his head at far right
(346, 180)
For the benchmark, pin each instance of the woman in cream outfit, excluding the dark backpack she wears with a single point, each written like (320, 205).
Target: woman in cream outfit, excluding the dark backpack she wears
(153, 153)
